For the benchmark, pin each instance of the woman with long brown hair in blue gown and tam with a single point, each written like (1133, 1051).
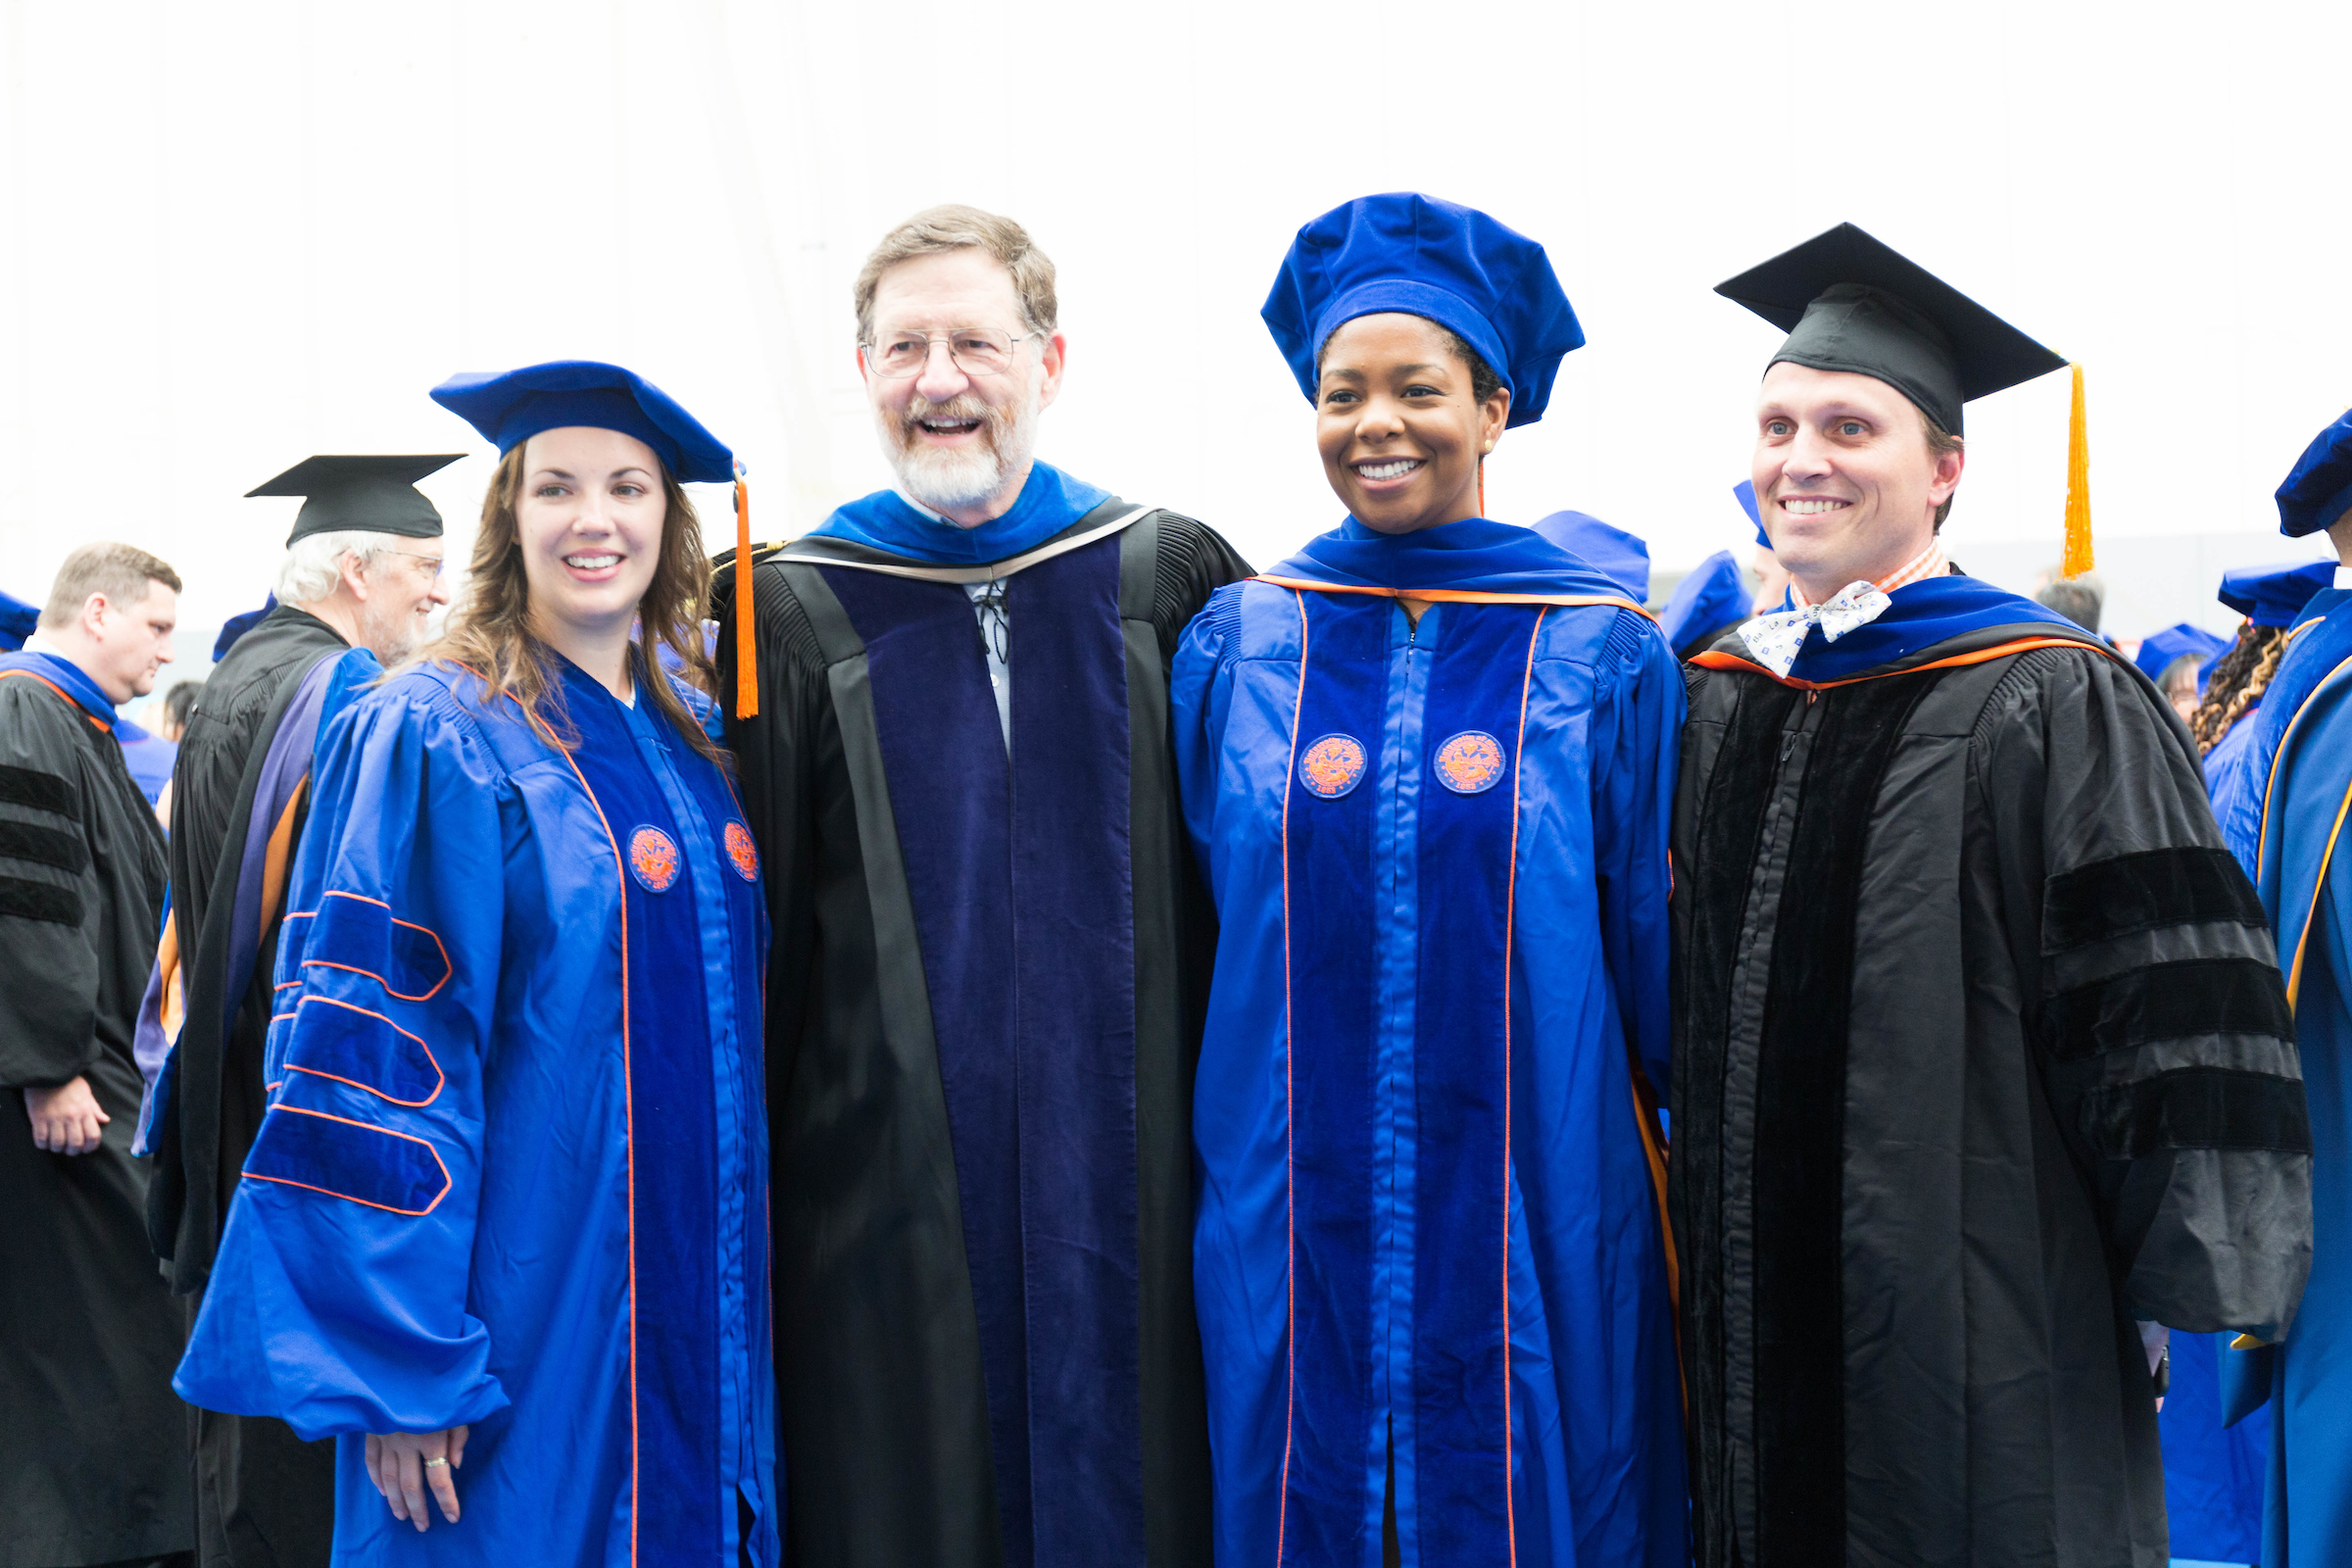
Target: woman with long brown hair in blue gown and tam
(505, 1228)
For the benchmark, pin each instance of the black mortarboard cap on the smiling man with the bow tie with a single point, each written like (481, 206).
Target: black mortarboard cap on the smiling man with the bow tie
(1855, 304)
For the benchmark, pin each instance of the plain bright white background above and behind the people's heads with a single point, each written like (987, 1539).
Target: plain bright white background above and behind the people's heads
(241, 234)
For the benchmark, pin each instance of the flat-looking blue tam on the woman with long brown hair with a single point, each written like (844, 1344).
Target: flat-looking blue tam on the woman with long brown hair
(512, 408)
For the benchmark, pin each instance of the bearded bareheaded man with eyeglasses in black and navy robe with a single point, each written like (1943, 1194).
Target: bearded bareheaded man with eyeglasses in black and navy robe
(982, 1010)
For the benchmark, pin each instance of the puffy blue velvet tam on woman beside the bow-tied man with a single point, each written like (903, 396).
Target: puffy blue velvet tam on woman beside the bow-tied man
(1417, 255)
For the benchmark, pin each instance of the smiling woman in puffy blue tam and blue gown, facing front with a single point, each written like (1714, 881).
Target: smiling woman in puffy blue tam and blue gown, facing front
(1429, 770)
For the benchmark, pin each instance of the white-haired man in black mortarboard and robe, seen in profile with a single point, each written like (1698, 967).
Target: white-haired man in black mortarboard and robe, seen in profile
(361, 577)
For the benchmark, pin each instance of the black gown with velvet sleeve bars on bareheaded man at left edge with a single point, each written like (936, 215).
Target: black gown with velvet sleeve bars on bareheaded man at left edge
(93, 1442)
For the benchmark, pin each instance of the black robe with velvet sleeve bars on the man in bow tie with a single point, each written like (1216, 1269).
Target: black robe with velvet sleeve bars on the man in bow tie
(1982, 1054)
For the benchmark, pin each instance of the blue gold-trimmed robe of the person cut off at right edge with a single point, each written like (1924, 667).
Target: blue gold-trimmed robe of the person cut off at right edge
(2297, 777)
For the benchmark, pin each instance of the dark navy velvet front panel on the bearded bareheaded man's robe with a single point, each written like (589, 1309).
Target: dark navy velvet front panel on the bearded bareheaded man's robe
(1022, 892)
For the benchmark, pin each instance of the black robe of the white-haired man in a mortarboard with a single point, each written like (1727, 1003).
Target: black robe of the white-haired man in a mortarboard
(265, 1499)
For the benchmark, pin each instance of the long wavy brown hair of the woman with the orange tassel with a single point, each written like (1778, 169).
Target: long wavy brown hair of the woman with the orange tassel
(490, 631)
